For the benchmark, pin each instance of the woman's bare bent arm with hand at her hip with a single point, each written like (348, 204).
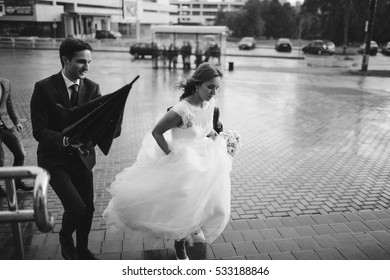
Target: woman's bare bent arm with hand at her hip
(169, 121)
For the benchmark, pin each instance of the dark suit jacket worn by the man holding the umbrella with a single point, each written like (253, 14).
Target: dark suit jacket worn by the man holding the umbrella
(47, 122)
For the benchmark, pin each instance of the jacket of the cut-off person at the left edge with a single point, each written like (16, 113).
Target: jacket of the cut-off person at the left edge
(7, 112)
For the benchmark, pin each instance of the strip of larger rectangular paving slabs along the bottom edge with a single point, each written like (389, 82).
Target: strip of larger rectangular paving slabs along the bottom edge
(349, 236)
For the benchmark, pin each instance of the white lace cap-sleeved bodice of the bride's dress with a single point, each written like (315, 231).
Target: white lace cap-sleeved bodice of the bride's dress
(197, 122)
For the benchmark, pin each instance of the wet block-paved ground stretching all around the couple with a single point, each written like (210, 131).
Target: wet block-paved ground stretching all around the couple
(310, 181)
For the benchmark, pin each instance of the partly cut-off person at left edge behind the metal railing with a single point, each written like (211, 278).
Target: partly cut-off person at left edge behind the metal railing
(10, 129)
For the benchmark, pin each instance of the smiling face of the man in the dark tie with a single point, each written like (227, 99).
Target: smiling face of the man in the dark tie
(78, 66)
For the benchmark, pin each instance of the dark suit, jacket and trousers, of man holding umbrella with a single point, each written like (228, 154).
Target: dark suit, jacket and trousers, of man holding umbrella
(71, 175)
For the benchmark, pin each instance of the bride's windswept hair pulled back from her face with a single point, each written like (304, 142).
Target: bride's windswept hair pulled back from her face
(203, 73)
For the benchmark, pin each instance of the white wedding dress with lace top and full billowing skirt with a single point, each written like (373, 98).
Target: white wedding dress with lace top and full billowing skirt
(172, 196)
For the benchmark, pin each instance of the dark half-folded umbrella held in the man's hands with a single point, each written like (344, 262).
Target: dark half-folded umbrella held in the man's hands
(98, 121)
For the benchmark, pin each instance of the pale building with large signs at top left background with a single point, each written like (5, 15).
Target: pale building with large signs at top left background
(50, 18)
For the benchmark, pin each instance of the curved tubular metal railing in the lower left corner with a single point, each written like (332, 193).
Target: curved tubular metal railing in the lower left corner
(39, 213)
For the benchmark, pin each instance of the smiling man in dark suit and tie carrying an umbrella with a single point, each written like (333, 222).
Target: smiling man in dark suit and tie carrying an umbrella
(70, 172)
